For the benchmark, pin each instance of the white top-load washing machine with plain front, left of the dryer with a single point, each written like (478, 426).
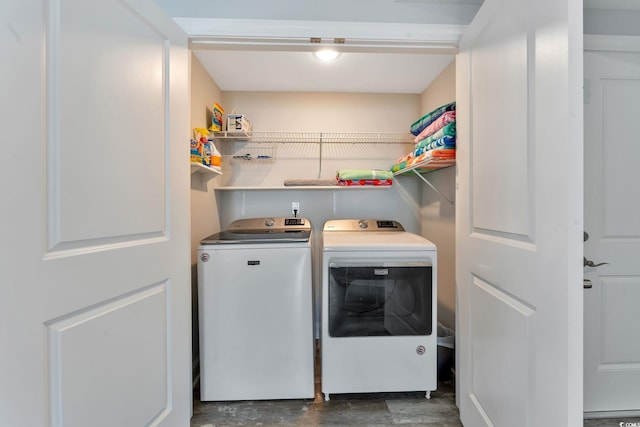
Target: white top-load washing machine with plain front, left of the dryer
(256, 311)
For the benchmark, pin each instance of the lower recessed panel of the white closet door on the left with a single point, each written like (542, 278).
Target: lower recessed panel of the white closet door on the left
(94, 352)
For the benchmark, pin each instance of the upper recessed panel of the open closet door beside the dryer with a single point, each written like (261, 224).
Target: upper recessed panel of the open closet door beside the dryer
(500, 127)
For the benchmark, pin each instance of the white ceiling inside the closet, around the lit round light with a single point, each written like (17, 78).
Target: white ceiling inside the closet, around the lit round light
(301, 72)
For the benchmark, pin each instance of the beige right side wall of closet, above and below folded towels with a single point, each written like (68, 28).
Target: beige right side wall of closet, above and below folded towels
(437, 215)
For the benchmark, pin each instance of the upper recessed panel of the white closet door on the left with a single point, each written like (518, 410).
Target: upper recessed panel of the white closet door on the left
(106, 125)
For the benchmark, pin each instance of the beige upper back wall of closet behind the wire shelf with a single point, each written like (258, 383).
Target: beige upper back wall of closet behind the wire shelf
(315, 112)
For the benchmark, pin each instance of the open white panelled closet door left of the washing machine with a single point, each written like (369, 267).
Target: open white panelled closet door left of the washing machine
(94, 303)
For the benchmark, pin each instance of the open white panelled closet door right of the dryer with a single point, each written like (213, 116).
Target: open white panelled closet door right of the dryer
(519, 215)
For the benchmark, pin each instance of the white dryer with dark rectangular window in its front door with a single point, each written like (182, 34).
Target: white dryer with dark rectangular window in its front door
(379, 301)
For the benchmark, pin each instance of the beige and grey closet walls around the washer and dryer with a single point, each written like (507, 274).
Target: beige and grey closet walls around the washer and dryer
(254, 188)
